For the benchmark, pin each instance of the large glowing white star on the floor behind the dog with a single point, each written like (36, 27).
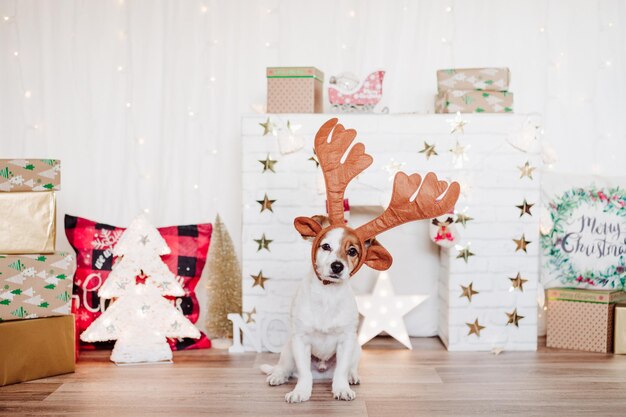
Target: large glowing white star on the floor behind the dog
(383, 311)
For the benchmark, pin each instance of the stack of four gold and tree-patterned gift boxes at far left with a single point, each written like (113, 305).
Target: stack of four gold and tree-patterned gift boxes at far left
(36, 327)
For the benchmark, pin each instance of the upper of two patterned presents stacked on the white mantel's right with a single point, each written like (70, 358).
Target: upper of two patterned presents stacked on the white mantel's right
(491, 79)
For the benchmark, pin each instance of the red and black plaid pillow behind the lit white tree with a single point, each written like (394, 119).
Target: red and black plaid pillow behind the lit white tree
(93, 243)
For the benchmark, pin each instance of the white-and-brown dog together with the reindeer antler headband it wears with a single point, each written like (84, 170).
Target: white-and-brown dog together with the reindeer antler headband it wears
(324, 315)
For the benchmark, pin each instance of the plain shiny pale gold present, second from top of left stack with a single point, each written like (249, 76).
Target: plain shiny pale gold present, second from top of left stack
(27, 222)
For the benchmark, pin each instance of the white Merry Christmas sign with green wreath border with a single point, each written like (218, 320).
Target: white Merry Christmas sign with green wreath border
(585, 245)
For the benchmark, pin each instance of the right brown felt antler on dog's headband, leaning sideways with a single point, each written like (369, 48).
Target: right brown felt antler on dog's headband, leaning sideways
(402, 209)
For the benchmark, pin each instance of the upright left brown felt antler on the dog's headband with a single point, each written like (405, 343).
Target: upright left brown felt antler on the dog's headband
(337, 174)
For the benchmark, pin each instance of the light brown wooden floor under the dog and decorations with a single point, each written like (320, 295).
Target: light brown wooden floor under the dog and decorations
(427, 381)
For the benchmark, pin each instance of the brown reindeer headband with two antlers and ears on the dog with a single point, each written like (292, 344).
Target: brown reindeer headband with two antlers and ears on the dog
(432, 197)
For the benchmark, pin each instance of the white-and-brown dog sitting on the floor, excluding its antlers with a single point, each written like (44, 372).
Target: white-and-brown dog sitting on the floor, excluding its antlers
(323, 318)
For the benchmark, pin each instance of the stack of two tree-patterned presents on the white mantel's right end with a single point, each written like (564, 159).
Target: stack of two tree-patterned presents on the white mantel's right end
(473, 90)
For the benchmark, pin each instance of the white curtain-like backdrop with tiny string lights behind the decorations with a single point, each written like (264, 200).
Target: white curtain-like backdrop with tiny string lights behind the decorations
(142, 99)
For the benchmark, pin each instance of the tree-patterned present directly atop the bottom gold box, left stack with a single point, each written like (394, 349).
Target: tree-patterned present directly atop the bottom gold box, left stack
(34, 286)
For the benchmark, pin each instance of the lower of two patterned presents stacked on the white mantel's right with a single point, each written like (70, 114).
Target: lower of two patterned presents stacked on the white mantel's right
(471, 101)
